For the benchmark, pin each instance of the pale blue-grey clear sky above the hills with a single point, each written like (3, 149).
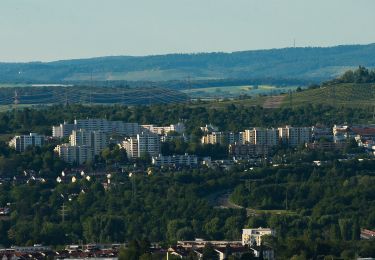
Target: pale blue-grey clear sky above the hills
(46, 30)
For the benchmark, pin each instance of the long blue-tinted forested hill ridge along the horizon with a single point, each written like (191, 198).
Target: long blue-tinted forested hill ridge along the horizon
(308, 64)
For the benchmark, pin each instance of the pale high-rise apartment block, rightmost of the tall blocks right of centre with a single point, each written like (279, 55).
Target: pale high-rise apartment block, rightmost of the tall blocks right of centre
(294, 136)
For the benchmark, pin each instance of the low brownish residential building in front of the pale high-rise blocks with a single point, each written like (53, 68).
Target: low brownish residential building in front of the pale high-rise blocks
(249, 150)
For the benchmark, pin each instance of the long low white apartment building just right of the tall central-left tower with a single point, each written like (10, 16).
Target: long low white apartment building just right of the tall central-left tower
(175, 160)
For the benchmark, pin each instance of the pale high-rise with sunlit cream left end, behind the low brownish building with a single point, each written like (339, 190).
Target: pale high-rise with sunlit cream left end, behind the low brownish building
(261, 136)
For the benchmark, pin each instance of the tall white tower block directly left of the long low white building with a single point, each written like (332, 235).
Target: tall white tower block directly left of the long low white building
(148, 143)
